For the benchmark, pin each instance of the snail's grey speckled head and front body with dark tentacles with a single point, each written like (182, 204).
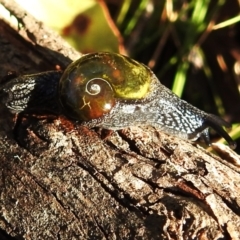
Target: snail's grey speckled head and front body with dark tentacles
(166, 111)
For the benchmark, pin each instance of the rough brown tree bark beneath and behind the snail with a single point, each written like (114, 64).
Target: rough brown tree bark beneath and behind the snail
(60, 180)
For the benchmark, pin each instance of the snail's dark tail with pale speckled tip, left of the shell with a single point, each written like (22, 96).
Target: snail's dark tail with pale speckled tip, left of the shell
(31, 92)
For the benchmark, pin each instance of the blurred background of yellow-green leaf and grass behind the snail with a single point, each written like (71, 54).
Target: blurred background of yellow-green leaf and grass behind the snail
(193, 46)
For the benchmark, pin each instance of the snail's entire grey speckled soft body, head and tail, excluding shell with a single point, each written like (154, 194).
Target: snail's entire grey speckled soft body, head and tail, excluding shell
(160, 108)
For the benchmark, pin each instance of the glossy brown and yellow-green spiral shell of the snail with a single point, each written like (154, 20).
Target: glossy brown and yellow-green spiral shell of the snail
(91, 86)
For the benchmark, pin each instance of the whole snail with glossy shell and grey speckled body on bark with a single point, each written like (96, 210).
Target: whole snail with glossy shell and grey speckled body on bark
(111, 91)
